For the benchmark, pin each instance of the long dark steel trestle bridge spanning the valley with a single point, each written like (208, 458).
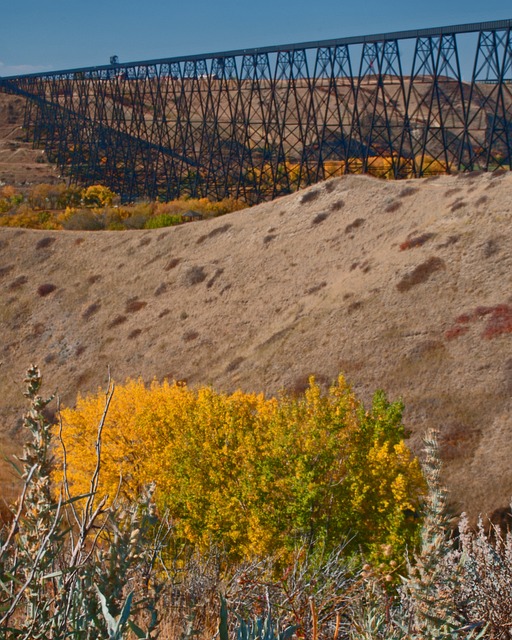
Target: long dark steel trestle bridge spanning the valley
(259, 123)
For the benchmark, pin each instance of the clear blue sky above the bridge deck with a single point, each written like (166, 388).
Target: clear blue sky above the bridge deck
(40, 35)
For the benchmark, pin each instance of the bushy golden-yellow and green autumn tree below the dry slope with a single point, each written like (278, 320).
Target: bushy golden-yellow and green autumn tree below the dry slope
(256, 475)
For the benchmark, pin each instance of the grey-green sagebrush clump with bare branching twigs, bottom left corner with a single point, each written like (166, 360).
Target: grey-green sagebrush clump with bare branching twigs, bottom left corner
(71, 566)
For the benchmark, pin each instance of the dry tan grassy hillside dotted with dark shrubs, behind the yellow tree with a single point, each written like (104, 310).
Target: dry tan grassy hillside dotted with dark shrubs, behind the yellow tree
(416, 299)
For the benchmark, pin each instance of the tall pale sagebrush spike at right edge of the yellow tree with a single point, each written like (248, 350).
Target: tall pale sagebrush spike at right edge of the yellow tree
(434, 602)
